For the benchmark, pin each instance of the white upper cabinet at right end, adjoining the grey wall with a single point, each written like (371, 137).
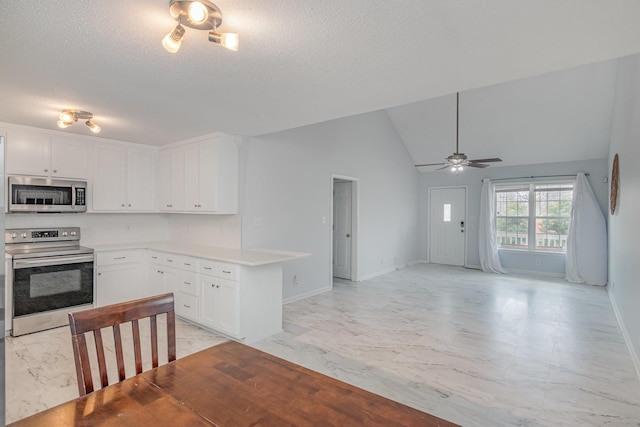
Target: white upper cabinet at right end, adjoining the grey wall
(200, 177)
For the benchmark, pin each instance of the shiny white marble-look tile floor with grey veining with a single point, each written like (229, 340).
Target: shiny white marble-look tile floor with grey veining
(474, 348)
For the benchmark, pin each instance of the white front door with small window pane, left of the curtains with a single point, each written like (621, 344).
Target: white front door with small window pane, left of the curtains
(447, 225)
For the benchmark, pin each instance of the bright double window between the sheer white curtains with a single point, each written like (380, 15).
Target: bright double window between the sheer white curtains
(533, 216)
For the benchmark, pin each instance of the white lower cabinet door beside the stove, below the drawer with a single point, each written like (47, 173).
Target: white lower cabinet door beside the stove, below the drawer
(118, 283)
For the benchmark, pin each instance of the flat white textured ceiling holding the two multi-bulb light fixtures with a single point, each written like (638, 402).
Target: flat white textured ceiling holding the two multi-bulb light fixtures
(300, 62)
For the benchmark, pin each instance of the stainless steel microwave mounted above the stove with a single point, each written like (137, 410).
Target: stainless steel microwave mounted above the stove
(33, 194)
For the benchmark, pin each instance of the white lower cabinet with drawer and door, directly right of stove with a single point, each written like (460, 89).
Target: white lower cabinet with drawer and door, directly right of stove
(120, 276)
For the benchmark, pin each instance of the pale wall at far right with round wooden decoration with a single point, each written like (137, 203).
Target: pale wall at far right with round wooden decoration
(624, 228)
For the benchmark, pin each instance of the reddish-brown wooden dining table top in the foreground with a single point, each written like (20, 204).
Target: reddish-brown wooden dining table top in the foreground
(231, 384)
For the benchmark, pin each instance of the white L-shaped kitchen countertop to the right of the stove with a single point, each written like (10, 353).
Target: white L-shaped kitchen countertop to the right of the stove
(250, 257)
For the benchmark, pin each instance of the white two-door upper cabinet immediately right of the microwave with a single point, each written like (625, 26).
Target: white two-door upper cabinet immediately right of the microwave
(123, 179)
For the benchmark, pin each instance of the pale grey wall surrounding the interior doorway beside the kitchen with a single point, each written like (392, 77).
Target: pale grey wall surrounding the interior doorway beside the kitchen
(287, 184)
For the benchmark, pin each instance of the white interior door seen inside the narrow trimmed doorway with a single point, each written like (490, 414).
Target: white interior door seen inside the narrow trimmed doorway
(342, 191)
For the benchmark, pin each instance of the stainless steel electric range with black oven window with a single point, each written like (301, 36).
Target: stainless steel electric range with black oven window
(51, 275)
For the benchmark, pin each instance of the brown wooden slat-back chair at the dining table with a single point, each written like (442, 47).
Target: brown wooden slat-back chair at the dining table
(94, 319)
